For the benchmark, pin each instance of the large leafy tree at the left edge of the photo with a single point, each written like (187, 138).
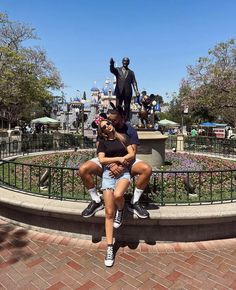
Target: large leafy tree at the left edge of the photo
(26, 75)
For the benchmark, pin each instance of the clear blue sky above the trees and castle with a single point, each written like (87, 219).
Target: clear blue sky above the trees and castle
(161, 37)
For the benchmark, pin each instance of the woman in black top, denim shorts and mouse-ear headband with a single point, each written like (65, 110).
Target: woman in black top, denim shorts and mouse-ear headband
(113, 148)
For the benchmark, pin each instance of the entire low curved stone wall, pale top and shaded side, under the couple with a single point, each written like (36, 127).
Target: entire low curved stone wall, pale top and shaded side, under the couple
(167, 223)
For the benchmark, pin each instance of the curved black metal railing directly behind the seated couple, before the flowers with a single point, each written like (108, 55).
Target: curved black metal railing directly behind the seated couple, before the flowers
(165, 187)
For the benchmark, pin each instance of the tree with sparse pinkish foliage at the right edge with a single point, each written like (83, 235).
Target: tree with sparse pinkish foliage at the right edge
(210, 86)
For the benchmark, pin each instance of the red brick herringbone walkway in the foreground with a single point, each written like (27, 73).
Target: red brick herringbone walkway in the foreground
(34, 260)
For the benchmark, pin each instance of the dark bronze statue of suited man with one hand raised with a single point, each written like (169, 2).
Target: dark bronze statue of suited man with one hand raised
(125, 79)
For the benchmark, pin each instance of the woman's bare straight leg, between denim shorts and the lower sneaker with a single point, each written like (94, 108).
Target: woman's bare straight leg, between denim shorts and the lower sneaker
(109, 214)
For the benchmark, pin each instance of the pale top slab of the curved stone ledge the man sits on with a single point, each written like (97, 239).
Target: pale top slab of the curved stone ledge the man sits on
(164, 215)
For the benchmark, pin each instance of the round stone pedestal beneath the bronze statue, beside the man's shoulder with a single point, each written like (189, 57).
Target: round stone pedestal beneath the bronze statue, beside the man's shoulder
(152, 148)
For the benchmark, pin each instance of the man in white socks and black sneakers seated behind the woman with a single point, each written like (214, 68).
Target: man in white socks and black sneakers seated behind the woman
(139, 168)
